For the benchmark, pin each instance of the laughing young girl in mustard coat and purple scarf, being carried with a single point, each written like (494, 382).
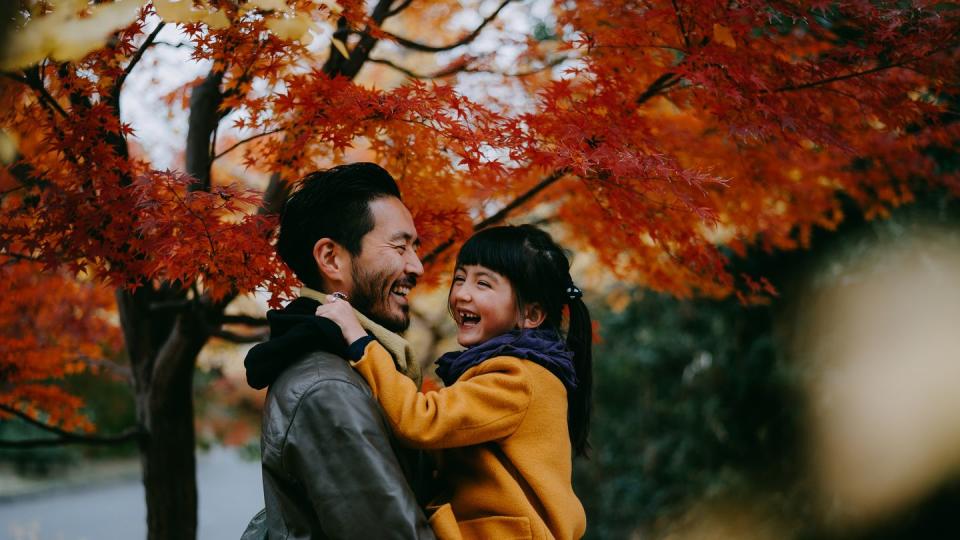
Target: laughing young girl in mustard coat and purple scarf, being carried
(516, 405)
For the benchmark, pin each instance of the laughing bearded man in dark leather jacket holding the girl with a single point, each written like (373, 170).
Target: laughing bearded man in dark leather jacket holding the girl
(330, 464)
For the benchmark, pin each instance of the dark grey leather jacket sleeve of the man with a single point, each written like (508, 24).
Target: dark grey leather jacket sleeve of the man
(337, 447)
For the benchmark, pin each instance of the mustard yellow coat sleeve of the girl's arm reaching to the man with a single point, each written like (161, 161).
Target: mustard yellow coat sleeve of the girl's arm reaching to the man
(487, 403)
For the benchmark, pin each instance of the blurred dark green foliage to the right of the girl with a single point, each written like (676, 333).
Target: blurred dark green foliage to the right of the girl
(701, 414)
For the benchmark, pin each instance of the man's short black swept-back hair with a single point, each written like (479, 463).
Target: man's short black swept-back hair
(334, 204)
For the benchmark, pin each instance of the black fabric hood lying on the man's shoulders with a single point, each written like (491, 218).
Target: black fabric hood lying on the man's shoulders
(294, 332)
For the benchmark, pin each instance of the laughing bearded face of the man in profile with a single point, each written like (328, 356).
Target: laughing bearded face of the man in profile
(387, 267)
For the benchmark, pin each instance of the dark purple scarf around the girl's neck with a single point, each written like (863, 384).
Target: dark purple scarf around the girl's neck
(541, 346)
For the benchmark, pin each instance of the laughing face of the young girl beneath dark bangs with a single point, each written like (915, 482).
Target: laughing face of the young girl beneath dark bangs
(483, 304)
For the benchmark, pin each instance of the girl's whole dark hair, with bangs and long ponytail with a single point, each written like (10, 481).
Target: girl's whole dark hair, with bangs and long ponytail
(539, 271)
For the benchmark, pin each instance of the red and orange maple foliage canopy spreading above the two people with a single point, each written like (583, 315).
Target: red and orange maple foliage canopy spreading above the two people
(662, 135)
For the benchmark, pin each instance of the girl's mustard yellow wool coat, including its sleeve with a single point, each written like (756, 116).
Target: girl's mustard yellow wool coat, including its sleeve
(507, 454)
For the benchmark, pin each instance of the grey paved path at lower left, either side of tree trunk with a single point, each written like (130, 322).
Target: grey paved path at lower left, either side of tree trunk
(229, 489)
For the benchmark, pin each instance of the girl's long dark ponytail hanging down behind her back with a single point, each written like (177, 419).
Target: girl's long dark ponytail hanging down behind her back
(580, 403)
